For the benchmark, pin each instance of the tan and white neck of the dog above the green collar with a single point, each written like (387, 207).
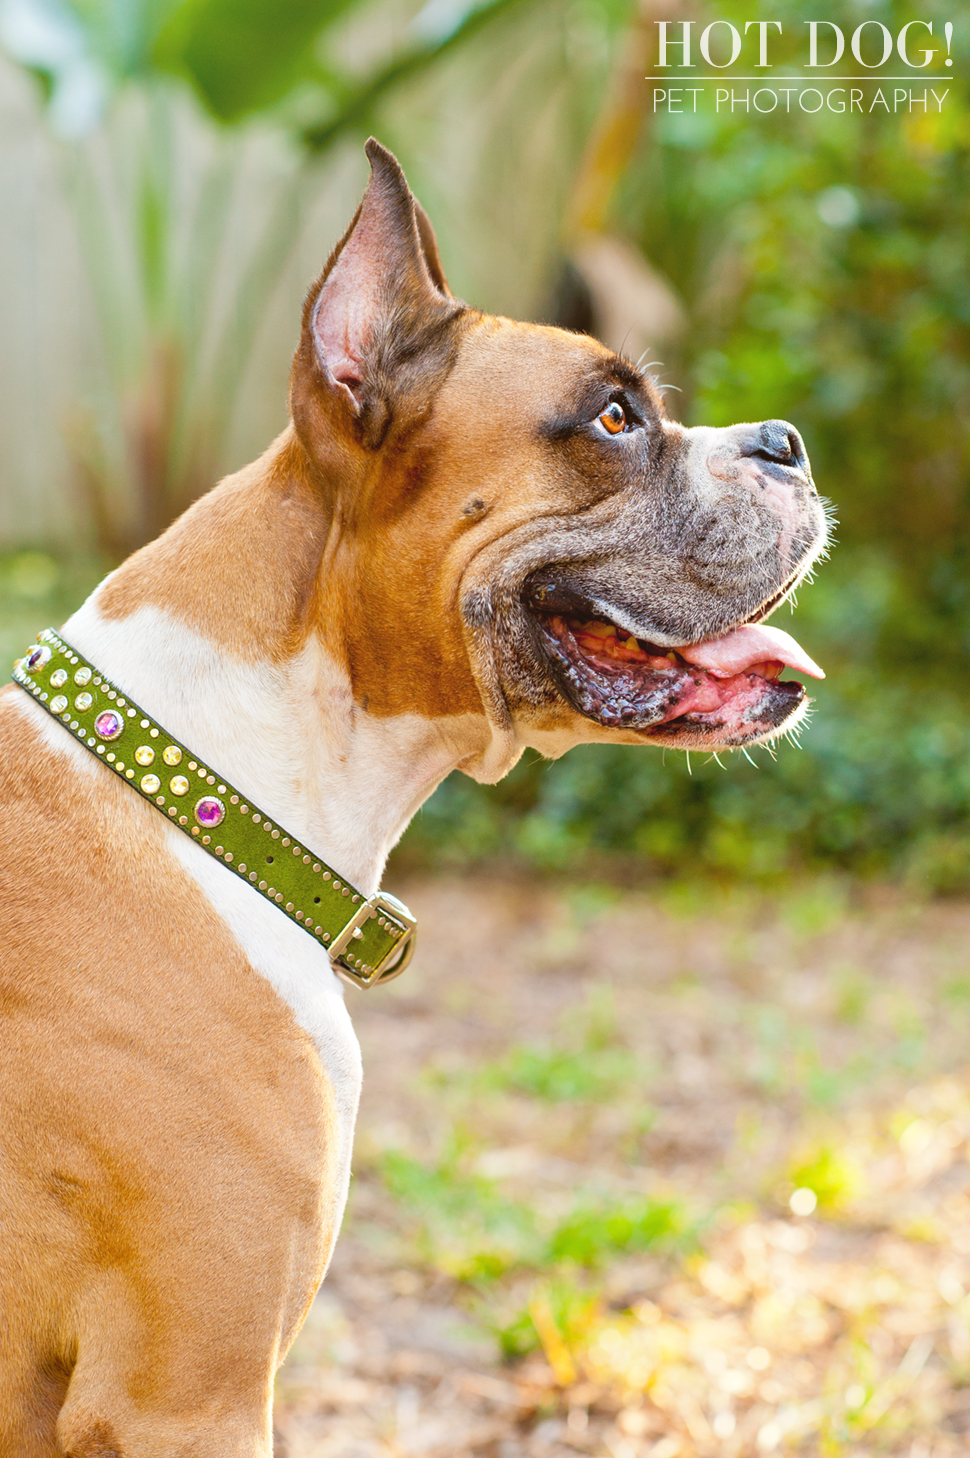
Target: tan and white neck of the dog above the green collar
(214, 629)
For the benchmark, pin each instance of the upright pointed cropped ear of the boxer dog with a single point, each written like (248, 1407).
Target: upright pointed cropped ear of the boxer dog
(380, 304)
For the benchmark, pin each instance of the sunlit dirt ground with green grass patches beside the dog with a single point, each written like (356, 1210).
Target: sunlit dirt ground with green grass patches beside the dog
(666, 1173)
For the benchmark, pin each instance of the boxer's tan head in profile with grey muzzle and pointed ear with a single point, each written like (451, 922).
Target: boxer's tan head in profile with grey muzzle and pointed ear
(521, 531)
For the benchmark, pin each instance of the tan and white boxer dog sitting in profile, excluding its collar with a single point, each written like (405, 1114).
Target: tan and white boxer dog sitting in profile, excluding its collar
(476, 536)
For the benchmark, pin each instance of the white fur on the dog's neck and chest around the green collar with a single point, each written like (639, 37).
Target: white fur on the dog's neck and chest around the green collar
(294, 743)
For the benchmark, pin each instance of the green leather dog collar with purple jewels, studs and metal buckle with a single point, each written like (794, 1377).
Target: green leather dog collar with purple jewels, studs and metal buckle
(371, 940)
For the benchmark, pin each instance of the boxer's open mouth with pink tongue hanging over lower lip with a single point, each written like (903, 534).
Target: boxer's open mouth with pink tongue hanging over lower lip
(720, 693)
